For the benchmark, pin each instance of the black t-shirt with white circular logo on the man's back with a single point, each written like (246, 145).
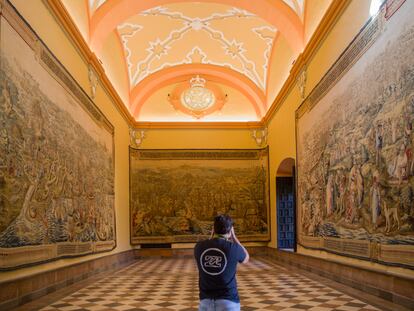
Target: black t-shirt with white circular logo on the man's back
(217, 263)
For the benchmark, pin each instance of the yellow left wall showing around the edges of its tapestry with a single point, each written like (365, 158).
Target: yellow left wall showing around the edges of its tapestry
(44, 24)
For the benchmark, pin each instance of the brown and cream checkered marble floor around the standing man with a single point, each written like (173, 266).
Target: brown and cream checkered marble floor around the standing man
(172, 284)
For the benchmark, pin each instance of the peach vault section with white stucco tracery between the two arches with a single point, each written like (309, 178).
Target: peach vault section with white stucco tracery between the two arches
(163, 49)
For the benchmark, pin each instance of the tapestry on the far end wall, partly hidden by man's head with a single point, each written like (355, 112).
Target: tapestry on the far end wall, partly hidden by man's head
(175, 194)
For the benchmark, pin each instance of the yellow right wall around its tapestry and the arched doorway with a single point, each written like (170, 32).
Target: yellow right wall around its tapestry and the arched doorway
(282, 125)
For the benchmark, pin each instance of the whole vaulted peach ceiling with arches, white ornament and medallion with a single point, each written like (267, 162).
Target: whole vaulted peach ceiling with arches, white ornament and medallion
(196, 61)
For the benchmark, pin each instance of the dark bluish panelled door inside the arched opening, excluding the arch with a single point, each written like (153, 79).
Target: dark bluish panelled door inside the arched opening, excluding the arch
(286, 218)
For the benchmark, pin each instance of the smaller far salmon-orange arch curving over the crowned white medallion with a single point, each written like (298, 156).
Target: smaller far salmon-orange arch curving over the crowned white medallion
(226, 76)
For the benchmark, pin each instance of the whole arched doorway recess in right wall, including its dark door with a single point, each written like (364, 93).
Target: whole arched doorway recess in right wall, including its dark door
(286, 205)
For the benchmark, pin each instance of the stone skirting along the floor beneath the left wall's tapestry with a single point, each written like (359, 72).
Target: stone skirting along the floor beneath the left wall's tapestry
(17, 292)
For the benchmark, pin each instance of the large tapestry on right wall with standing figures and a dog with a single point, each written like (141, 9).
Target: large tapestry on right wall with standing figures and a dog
(355, 145)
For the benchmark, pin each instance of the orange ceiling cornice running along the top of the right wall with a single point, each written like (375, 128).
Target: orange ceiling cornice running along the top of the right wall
(331, 16)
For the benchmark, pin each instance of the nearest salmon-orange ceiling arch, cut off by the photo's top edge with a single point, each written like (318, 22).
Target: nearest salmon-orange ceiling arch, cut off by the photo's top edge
(279, 14)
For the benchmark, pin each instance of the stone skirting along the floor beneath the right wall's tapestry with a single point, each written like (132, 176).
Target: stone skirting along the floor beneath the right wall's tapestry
(397, 289)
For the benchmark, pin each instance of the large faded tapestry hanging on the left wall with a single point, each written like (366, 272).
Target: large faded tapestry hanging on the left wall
(56, 157)
